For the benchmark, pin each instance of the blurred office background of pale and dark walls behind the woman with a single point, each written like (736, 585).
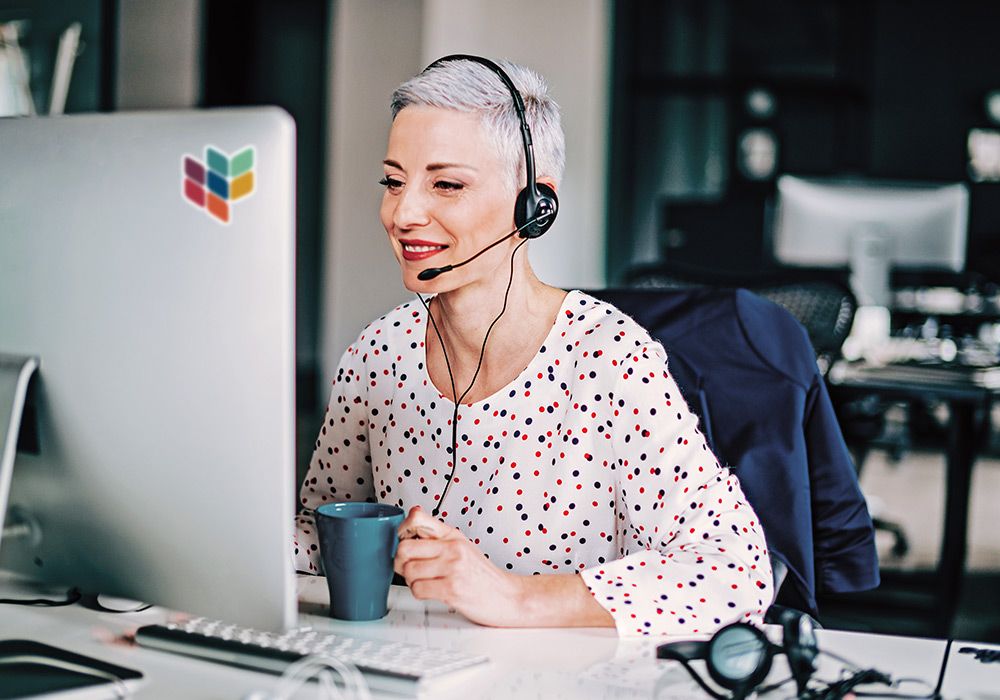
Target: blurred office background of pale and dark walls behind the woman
(680, 116)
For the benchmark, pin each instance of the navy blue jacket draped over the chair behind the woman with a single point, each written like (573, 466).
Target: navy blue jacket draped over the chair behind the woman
(746, 366)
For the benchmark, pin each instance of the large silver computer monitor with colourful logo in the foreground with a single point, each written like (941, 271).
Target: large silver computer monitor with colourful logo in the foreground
(147, 261)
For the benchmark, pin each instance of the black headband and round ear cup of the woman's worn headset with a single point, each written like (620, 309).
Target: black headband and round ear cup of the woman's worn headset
(537, 204)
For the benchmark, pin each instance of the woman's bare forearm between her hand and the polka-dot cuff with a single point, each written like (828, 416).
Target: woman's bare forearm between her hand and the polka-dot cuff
(560, 600)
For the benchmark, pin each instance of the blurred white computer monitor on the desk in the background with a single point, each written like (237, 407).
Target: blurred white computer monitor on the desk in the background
(872, 227)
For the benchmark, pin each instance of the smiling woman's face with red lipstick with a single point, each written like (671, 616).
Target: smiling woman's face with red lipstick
(446, 198)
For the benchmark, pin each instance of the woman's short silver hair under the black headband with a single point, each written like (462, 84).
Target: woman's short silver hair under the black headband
(467, 86)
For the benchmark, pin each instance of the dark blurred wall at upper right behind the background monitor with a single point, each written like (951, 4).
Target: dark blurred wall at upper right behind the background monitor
(886, 88)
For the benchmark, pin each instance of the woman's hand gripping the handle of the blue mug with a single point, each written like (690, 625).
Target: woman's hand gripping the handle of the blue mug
(440, 563)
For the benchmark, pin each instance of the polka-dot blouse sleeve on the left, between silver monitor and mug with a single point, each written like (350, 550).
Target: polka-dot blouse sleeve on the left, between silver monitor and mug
(340, 468)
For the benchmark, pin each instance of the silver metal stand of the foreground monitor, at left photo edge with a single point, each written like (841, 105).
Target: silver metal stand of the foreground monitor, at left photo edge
(15, 373)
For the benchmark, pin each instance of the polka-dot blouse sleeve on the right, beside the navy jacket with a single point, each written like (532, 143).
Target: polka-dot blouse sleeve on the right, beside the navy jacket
(692, 552)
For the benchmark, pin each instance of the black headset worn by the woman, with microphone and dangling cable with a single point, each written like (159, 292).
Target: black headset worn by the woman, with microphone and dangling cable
(535, 211)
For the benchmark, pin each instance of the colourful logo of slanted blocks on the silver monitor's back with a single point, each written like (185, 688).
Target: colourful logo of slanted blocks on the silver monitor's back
(219, 181)
